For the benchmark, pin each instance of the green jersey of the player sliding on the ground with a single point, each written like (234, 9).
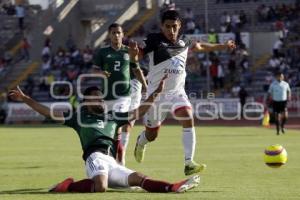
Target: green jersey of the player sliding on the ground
(97, 131)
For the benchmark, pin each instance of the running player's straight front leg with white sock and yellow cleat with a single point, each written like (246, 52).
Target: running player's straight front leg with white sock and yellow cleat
(185, 118)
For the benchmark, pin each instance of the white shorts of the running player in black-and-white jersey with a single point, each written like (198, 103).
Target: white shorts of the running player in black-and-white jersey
(164, 104)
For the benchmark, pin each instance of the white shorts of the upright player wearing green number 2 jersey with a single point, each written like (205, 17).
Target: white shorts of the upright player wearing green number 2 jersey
(118, 105)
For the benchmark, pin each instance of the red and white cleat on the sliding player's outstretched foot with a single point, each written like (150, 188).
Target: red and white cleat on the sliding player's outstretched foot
(186, 185)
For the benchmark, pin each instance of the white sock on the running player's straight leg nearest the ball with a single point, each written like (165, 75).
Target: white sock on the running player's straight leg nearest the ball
(189, 143)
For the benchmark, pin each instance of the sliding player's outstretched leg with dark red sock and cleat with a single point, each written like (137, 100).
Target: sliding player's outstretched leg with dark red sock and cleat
(151, 185)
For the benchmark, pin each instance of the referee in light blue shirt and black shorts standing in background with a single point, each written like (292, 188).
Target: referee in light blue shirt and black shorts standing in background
(279, 93)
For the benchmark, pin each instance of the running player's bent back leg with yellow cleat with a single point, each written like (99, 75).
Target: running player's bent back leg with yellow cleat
(149, 135)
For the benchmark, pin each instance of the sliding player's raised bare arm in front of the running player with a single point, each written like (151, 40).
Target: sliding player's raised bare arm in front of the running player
(144, 107)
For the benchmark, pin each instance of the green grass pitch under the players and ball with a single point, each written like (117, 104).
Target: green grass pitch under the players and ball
(34, 158)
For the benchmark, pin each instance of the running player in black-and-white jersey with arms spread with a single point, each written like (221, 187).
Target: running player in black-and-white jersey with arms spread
(168, 53)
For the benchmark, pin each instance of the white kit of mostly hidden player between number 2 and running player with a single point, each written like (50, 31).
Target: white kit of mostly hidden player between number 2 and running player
(135, 94)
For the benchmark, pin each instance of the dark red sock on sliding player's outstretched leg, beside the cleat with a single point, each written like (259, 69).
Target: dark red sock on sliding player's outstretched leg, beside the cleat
(156, 186)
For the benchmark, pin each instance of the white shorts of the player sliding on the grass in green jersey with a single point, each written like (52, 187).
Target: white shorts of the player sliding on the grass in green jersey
(100, 164)
